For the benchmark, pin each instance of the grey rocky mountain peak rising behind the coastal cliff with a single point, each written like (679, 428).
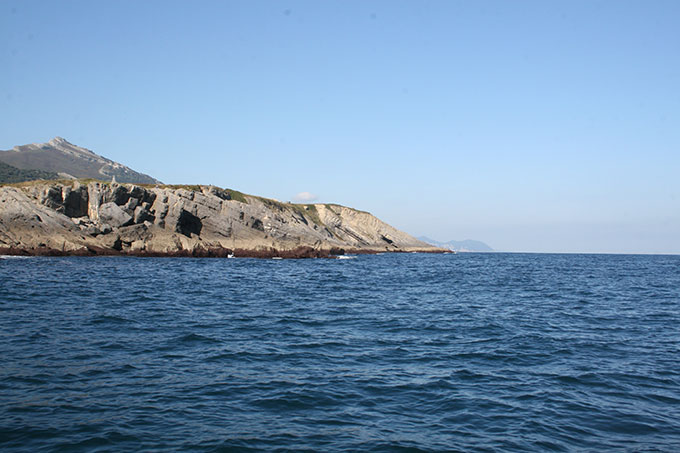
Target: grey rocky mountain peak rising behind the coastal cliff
(71, 161)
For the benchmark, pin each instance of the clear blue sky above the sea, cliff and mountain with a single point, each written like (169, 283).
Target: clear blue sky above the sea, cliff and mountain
(530, 125)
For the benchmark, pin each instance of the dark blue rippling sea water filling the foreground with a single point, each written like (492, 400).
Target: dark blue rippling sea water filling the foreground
(404, 352)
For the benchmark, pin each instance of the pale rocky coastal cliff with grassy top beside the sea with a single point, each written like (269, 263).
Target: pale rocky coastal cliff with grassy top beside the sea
(108, 218)
